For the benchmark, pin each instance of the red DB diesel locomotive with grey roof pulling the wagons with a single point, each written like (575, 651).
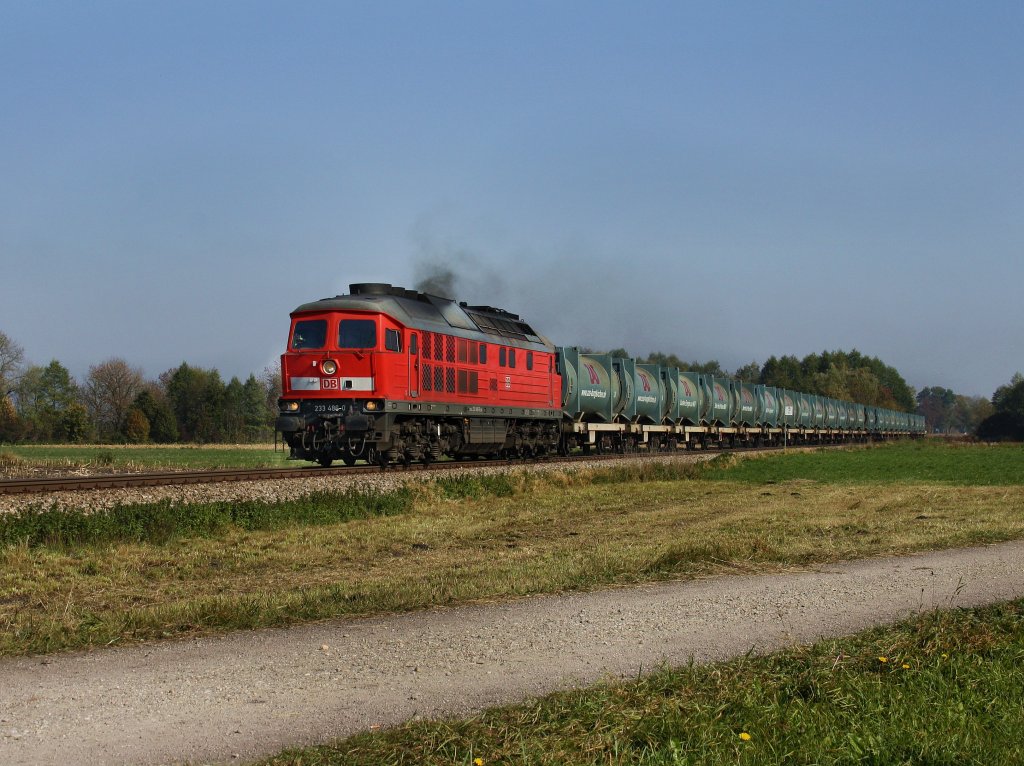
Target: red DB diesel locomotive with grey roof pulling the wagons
(387, 374)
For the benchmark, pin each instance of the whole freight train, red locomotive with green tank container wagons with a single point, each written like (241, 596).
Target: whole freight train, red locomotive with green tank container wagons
(390, 375)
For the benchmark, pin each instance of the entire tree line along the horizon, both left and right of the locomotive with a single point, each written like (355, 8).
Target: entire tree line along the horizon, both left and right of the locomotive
(116, 404)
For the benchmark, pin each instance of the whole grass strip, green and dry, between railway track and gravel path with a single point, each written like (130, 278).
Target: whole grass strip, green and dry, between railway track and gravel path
(152, 572)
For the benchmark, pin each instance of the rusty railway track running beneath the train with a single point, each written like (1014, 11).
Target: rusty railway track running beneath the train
(41, 486)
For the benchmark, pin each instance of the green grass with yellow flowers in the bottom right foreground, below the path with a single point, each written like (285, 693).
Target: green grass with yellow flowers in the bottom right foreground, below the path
(948, 694)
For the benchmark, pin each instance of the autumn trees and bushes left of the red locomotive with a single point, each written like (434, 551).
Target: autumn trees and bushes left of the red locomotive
(117, 404)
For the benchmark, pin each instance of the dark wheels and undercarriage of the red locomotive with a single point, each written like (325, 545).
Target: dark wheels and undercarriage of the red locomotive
(392, 440)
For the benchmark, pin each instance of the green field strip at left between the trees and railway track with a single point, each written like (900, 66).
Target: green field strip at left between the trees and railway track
(129, 458)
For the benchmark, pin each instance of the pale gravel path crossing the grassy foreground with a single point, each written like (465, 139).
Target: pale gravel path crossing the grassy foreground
(253, 694)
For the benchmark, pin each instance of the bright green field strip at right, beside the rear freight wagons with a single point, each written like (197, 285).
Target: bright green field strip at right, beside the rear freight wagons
(901, 462)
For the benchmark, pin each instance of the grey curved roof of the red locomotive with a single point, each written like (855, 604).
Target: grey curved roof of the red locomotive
(434, 314)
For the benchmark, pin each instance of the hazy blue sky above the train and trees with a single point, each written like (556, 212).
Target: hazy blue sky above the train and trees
(718, 181)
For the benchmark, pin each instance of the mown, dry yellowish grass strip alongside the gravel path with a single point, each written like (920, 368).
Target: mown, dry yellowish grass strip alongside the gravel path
(557, 533)
